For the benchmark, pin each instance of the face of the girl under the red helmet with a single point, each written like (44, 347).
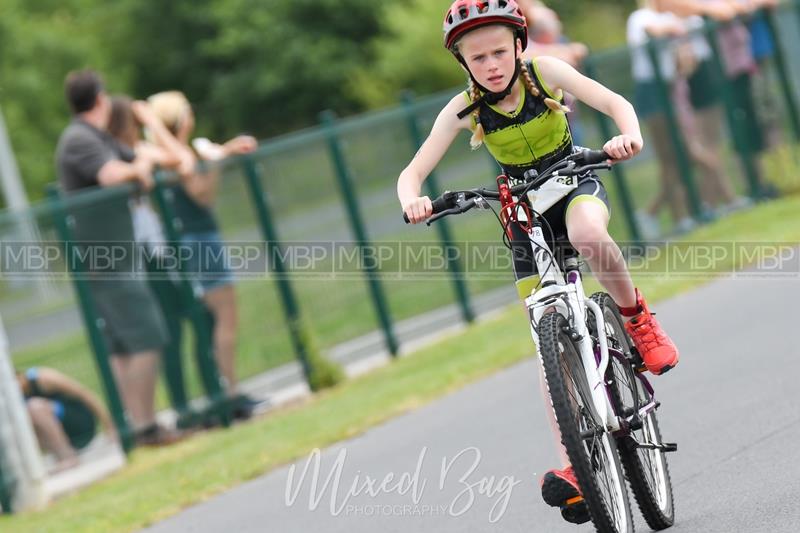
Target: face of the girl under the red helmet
(489, 54)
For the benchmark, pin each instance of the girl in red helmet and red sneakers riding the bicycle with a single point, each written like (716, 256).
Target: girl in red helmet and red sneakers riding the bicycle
(514, 106)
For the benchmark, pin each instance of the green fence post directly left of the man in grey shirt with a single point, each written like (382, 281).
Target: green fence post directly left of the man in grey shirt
(91, 321)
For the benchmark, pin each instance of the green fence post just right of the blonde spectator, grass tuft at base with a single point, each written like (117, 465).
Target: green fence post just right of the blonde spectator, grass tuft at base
(316, 371)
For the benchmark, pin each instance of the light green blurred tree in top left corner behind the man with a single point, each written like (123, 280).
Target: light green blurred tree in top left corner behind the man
(40, 41)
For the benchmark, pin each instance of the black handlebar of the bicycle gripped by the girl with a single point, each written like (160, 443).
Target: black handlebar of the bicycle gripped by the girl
(457, 202)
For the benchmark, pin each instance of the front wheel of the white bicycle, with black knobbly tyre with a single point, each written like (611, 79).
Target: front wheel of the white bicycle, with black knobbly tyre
(591, 449)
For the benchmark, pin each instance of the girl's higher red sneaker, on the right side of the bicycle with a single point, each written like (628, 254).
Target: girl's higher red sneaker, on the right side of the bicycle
(657, 350)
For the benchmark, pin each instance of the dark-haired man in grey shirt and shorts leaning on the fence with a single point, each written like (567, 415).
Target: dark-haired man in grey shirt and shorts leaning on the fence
(133, 326)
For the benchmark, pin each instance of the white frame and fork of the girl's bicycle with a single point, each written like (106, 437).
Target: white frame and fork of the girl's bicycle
(568, 298)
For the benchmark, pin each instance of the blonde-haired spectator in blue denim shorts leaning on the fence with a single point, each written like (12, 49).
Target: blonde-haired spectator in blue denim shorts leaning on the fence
(194, 197)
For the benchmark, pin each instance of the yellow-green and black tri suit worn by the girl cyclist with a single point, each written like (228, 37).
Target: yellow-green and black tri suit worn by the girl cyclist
(534, 137)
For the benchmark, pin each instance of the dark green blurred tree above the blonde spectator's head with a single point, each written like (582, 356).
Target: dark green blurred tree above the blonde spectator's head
(251, 65)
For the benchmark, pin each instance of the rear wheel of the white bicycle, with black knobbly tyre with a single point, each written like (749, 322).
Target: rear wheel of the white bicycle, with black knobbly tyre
(646, 469)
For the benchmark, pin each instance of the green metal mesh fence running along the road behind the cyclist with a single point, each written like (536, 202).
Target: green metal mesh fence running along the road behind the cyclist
(333, 187)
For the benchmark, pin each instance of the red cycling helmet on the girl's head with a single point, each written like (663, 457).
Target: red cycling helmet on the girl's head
(466, 15)
